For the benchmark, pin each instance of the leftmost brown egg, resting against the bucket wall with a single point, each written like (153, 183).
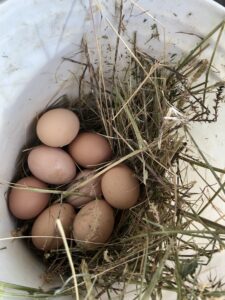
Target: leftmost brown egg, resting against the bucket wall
(25, 204)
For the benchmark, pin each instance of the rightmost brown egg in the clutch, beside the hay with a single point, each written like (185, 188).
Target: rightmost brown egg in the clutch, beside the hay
(120, 187)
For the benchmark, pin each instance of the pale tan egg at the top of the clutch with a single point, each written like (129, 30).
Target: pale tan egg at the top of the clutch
(57, 127)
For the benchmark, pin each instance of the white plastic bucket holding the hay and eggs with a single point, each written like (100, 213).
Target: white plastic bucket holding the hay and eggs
(34, 36)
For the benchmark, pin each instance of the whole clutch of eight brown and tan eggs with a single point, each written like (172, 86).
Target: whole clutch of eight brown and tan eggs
(94, 196)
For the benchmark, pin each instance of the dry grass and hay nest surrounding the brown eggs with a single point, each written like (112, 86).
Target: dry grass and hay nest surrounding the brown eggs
(145, 112)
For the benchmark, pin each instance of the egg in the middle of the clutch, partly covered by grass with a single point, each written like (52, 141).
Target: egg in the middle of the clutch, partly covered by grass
(90, 191)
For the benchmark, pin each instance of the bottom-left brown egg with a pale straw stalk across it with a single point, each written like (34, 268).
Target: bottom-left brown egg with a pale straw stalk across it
(45, 231)
